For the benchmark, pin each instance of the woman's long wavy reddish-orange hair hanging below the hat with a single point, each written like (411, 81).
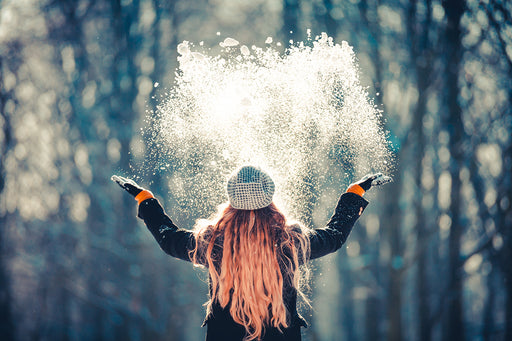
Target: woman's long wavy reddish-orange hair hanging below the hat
(250, 254)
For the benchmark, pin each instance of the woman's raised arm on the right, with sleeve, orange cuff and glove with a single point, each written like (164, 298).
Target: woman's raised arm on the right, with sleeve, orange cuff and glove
(349, 208)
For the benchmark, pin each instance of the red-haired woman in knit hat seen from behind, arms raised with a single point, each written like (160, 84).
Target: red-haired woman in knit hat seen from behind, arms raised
(252, 253)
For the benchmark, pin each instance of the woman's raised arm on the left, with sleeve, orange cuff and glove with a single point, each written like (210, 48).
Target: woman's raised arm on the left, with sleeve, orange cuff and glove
(175, 241)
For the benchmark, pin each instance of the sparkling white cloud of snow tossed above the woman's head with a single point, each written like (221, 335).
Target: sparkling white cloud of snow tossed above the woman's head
(301, 114)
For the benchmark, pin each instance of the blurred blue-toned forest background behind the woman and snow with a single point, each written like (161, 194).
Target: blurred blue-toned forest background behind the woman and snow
(430, 259)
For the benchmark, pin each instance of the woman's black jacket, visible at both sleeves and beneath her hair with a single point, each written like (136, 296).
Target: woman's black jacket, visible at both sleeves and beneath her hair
(177, 242)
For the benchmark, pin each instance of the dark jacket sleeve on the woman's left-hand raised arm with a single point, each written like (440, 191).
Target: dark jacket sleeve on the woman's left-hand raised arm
(175, 241)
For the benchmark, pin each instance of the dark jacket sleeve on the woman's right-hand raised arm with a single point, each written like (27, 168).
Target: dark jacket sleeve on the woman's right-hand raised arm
(330, 238)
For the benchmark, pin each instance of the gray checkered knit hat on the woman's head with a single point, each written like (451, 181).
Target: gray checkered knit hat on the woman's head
(250, 188)
